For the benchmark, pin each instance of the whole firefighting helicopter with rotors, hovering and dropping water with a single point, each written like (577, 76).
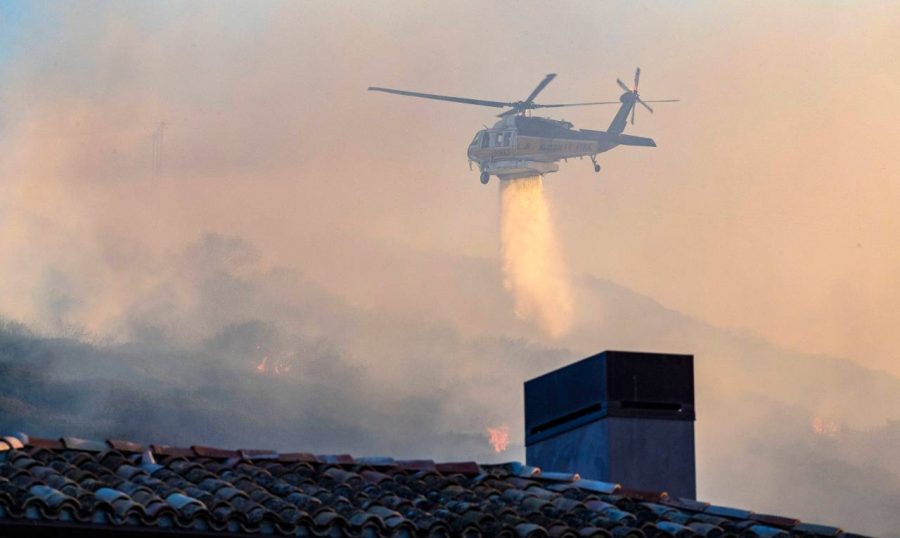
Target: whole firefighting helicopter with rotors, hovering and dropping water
(521, 145)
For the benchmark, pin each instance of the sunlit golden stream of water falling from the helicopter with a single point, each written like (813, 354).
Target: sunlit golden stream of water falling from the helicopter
(533, 268)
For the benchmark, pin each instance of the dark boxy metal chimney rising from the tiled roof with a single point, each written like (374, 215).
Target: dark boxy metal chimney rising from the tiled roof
(618, 417)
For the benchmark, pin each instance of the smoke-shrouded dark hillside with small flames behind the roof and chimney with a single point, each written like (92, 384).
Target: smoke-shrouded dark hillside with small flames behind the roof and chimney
(352, 379)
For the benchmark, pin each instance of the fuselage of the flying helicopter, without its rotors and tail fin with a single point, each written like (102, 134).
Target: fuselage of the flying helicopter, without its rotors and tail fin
(523, 146)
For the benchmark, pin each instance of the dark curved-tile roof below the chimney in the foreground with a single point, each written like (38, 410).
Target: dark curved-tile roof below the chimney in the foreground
(118, 487)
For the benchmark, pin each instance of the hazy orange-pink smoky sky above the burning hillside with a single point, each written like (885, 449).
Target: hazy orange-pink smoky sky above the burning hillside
(768, 207)
